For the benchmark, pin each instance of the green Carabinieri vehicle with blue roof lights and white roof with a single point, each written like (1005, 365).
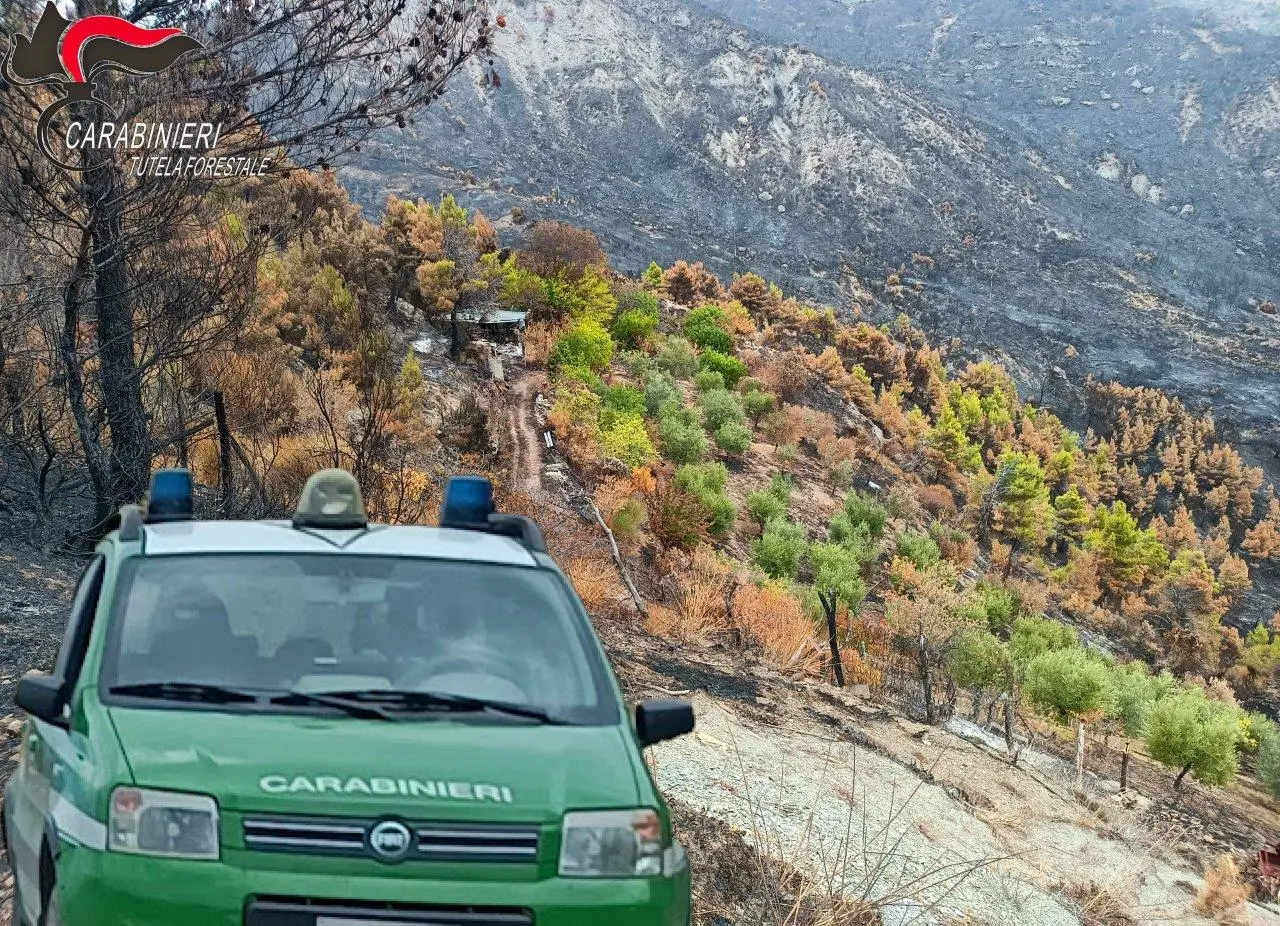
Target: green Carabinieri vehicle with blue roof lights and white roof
(328, 723)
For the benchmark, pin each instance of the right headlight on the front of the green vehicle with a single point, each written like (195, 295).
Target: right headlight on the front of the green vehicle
(612, 845)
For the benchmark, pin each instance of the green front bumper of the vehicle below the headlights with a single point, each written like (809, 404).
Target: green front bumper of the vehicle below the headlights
(127, 891)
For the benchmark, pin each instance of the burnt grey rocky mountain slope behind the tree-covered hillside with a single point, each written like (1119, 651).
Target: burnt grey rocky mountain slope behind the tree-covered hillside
(1086, 174)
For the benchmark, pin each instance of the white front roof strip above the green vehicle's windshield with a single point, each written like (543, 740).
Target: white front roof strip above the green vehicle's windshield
(378, 540)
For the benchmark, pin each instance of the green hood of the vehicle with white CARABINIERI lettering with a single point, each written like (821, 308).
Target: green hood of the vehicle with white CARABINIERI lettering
(444, 769)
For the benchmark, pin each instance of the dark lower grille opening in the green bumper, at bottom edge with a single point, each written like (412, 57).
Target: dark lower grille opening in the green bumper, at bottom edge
(287, 911)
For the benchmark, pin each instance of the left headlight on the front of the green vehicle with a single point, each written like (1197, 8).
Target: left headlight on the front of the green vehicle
(172, 824)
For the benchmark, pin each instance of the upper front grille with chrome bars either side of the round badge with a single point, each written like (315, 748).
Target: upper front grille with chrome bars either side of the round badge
(432, 841)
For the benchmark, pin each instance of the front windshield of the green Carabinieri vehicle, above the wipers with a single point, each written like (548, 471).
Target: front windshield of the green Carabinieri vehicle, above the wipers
(276, 624)
